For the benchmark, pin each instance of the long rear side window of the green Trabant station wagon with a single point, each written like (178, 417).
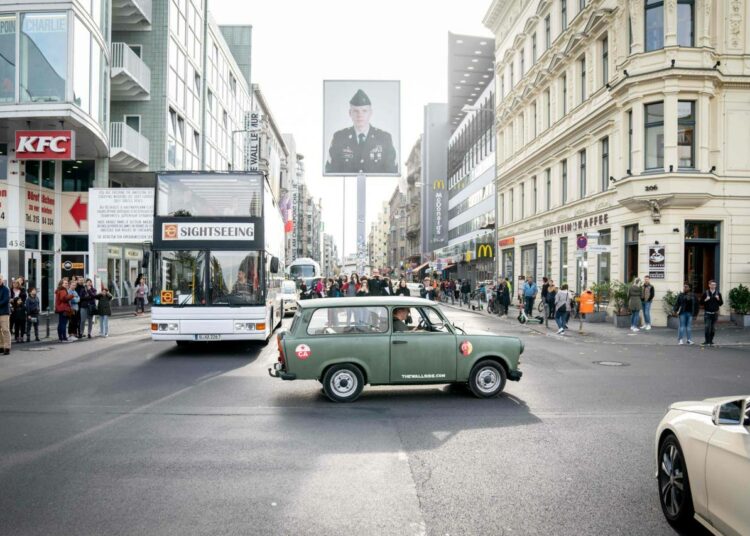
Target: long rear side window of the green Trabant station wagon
(348, 320)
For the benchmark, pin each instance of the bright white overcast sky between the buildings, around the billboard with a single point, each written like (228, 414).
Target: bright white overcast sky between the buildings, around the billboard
(299, 43)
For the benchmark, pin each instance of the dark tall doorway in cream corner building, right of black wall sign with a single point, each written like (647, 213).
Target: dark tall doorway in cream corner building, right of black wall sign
(702, 254)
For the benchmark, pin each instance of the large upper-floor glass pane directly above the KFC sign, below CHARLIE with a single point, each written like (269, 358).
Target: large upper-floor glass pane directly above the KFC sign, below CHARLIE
(44, 57)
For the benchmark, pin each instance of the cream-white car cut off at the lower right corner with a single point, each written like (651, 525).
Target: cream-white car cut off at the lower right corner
(703, 464)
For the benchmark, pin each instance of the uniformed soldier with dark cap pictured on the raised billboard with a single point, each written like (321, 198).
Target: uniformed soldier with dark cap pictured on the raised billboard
(361, 148)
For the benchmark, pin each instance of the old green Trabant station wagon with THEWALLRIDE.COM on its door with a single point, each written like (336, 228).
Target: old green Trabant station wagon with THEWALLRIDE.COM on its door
(347, 342)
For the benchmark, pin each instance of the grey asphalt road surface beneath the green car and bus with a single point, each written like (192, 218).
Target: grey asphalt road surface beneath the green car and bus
(127, 436)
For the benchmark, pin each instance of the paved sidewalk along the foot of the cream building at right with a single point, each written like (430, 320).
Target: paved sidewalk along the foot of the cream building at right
(727, 334)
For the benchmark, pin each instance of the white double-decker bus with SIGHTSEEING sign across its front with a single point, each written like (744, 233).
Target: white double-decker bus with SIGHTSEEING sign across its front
(218, 258)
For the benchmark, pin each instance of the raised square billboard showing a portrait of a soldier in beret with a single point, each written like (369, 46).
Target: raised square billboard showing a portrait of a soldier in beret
(361, 127)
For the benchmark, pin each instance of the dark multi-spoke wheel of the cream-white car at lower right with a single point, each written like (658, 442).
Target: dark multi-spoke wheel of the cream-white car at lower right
(674, 485)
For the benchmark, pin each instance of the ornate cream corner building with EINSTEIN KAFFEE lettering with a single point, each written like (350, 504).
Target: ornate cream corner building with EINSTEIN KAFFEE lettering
(623, 125)
